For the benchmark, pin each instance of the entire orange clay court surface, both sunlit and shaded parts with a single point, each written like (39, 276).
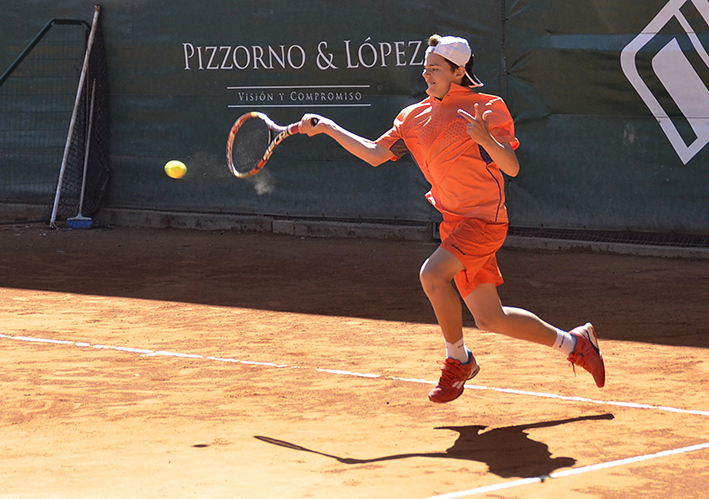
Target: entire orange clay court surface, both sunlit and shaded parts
(172, 363)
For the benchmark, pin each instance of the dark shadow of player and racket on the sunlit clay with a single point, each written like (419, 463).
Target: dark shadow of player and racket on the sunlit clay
(508, 452)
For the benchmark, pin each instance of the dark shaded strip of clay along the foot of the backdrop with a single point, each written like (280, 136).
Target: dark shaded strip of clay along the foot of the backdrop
(630, 298)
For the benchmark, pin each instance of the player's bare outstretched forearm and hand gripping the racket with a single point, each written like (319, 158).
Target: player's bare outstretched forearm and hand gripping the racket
(363, 148)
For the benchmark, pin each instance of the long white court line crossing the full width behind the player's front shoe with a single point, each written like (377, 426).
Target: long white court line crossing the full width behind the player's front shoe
(160, 353)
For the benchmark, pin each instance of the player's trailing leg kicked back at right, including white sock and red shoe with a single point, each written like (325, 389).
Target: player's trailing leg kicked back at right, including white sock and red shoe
(580, 344)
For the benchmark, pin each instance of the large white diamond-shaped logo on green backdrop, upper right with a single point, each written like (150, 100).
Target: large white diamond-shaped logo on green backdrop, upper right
(677, 75)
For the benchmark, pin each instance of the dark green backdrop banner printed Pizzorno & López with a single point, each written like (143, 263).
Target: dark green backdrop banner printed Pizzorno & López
(609, 100)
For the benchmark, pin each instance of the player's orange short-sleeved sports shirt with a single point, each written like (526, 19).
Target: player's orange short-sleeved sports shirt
(464, 180)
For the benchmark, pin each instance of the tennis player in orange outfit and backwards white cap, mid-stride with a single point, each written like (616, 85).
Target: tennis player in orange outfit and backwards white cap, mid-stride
(463, 141)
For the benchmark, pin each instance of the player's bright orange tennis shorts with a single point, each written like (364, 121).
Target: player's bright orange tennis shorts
(474, 242)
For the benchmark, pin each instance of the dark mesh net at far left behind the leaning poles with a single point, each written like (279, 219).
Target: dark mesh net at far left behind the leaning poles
(36, 105)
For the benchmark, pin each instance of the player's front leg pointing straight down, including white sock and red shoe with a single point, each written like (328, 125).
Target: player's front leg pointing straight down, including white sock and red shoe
(436, 278)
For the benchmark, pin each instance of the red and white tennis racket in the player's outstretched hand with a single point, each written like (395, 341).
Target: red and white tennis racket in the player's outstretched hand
(252, 140)
